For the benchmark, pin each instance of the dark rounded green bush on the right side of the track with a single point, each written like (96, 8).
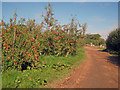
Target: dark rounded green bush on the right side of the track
(113, 41)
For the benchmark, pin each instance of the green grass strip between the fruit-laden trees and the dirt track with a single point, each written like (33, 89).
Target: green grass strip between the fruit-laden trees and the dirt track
(42, 77)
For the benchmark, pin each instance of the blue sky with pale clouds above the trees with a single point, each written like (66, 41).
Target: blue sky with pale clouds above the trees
(101, 17)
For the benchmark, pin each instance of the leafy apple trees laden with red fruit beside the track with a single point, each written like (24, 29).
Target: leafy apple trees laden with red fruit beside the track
(25, 42)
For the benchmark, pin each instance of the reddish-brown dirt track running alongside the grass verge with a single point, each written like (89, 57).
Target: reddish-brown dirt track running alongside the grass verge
(100, 70)
